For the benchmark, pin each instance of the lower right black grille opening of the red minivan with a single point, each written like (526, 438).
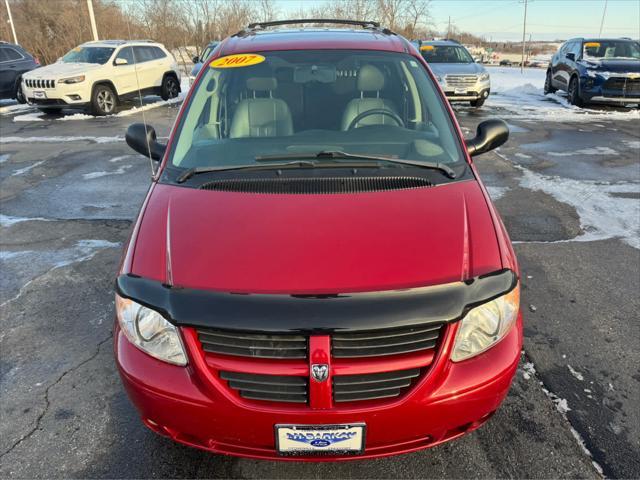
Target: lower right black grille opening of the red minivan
(374, 386)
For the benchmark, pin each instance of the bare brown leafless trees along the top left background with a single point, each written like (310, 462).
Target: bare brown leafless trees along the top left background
(50, 28)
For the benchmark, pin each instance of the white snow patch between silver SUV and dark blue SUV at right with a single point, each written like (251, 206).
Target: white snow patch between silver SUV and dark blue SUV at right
(522, 94)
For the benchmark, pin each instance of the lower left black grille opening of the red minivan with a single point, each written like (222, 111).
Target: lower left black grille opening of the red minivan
(273, 388)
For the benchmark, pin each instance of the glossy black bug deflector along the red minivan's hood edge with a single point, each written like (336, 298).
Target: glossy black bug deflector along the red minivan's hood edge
(316, 313)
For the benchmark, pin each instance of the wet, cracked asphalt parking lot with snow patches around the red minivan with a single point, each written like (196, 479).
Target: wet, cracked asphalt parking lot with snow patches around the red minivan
(567, 185)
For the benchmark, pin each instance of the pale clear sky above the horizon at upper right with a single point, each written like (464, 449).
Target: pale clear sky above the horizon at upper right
(502, 20)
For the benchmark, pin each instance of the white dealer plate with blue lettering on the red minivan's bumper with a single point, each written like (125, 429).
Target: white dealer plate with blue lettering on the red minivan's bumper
(320, 439)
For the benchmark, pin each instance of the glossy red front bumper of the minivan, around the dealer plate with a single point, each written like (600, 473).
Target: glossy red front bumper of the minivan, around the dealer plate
(190, 405)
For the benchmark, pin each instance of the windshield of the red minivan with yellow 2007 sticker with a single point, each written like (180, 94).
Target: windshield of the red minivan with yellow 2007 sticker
(288, 103)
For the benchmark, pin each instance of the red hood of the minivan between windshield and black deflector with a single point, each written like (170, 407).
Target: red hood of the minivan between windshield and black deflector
(315, 244)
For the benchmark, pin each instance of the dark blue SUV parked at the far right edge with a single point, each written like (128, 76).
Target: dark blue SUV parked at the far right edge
(596, 70)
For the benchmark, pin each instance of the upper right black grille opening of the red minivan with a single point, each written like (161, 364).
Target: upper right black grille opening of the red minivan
(385, 342)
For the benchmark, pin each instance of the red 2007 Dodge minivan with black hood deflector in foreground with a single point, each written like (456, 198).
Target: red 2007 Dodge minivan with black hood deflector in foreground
(317, 271)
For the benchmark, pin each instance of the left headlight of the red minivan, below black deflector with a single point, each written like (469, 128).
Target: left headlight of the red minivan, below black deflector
(150, 331)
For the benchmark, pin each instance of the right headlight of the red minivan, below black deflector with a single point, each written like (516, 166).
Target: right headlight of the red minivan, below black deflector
(486, 325)
